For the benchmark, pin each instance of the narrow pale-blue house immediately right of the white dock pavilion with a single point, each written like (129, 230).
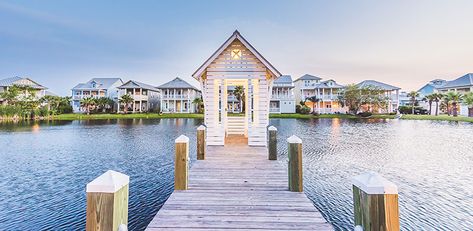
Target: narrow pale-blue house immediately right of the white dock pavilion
(282, 96)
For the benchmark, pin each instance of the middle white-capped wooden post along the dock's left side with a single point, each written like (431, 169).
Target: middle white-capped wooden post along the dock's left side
(181, 164)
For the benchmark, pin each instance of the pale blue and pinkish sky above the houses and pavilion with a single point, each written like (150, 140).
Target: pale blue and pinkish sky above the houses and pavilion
(404, 43)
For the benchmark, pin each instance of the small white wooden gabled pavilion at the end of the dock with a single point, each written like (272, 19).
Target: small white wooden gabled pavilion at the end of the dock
(236, 63)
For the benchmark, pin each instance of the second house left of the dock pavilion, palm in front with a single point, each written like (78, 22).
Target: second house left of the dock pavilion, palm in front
(145, 97)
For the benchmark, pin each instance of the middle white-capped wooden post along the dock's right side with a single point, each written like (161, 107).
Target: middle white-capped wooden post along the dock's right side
(295, 163)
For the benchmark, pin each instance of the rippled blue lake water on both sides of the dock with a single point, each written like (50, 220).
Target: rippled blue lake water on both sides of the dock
(44, 168)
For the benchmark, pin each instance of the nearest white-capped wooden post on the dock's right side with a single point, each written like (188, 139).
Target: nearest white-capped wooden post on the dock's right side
(375, 201)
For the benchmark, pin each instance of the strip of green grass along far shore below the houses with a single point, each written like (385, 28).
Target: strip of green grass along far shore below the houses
(283, 116)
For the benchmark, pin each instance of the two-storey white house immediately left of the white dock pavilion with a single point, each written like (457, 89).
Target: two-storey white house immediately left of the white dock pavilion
(177, 96)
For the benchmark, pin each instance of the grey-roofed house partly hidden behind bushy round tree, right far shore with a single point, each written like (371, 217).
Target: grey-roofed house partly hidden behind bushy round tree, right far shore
(390, 91)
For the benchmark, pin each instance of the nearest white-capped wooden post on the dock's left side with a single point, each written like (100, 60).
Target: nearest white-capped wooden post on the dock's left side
(107, 202)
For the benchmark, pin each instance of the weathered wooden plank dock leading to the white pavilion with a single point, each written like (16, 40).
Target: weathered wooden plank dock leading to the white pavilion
(236, 187)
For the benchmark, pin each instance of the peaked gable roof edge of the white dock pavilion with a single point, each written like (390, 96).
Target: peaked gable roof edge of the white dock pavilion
(235, 36)
